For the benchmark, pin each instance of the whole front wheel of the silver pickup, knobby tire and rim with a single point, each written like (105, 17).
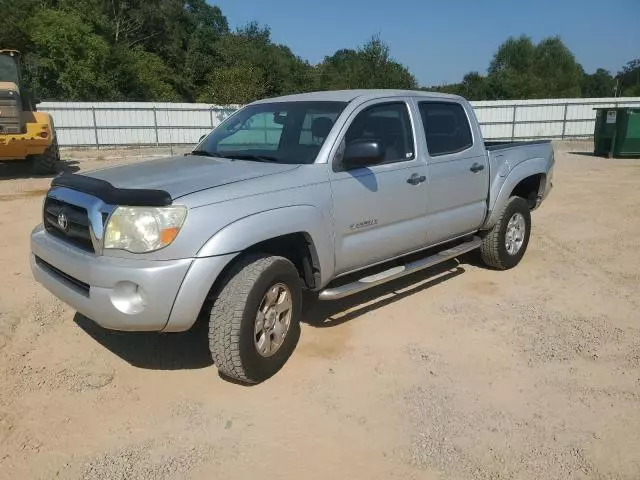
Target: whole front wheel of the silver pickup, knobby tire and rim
(254, 321)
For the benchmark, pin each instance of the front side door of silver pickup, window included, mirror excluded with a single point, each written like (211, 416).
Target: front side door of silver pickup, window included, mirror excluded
(379, 210)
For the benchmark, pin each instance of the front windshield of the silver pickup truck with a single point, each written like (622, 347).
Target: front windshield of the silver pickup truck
(282, 132)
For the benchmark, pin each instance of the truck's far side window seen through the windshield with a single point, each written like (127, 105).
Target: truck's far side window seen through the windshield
(259, 132)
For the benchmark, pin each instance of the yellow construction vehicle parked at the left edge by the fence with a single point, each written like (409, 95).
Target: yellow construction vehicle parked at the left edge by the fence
(25, 134)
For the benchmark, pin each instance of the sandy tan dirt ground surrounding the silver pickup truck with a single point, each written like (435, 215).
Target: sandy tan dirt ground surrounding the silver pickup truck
(456, 373)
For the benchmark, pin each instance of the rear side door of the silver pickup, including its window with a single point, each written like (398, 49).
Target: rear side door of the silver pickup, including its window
(458, 171)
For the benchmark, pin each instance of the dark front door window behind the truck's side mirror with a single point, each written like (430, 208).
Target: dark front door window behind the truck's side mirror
(388, 123)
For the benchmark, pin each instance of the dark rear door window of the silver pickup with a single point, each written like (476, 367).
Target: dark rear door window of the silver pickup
(446, 127)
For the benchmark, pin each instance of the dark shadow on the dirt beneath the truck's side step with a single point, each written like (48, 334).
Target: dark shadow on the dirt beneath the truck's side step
(325, 314)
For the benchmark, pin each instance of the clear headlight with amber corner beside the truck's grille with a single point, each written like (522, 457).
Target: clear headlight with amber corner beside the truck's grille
(143, 229)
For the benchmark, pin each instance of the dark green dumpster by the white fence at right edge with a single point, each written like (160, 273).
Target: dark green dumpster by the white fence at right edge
(617, 132)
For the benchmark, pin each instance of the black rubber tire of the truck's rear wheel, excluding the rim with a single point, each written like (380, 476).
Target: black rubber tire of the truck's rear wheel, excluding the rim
(493, 250)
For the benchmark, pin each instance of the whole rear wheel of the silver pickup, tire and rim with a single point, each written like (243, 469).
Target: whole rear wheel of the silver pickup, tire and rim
(504, 245)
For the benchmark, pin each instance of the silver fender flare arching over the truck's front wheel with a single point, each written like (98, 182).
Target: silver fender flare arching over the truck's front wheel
(268, 224)
